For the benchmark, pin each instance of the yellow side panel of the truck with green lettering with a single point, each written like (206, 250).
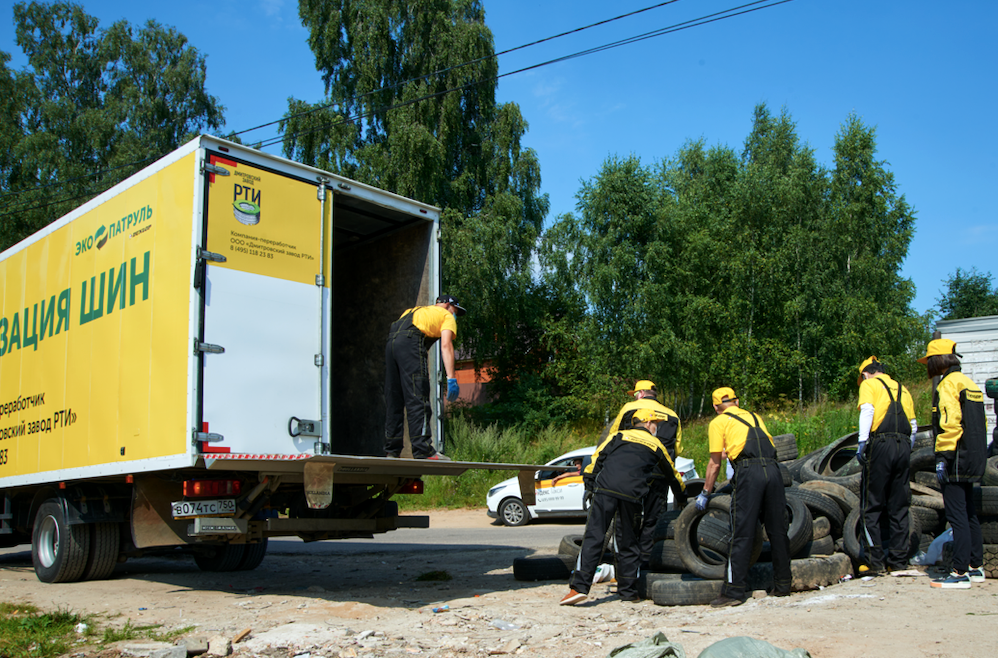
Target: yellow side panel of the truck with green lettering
(94, 345)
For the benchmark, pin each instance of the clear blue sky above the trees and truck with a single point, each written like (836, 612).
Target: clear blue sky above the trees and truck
(923, 73)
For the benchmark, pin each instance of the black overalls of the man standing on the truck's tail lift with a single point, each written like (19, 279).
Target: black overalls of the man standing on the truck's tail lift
(407, 387)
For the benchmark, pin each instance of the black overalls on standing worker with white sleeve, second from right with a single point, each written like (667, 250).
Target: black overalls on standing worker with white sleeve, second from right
(885, 488)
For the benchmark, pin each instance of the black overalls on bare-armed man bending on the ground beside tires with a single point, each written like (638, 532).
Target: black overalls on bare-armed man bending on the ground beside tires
(758, 491)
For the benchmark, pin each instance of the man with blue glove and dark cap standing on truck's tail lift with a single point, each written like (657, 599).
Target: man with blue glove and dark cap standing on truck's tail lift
(407, 378)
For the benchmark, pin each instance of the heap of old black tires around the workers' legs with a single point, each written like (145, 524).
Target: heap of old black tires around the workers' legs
(689, 557)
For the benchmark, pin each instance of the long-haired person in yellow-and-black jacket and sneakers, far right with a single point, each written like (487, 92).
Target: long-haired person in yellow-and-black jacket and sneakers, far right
(961, 456)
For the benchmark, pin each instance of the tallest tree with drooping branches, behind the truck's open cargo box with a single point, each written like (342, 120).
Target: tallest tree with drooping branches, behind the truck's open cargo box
(411, 107)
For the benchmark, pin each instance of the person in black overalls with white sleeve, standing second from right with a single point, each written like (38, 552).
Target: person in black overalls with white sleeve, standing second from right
(887, 430)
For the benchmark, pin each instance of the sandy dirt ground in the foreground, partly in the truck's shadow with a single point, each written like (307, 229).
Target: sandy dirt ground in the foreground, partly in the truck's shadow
(372, 605)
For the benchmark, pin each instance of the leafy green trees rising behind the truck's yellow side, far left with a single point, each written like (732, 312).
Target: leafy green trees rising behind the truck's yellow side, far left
(91, 107)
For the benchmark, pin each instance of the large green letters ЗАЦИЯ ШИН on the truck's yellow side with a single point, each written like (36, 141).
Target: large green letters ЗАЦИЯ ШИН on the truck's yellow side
(46, 318)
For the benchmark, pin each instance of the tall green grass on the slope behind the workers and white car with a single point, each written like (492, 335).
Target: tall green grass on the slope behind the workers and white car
(814, 426)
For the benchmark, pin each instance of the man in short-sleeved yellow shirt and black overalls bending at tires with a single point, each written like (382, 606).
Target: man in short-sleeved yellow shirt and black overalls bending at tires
(757, 492)
